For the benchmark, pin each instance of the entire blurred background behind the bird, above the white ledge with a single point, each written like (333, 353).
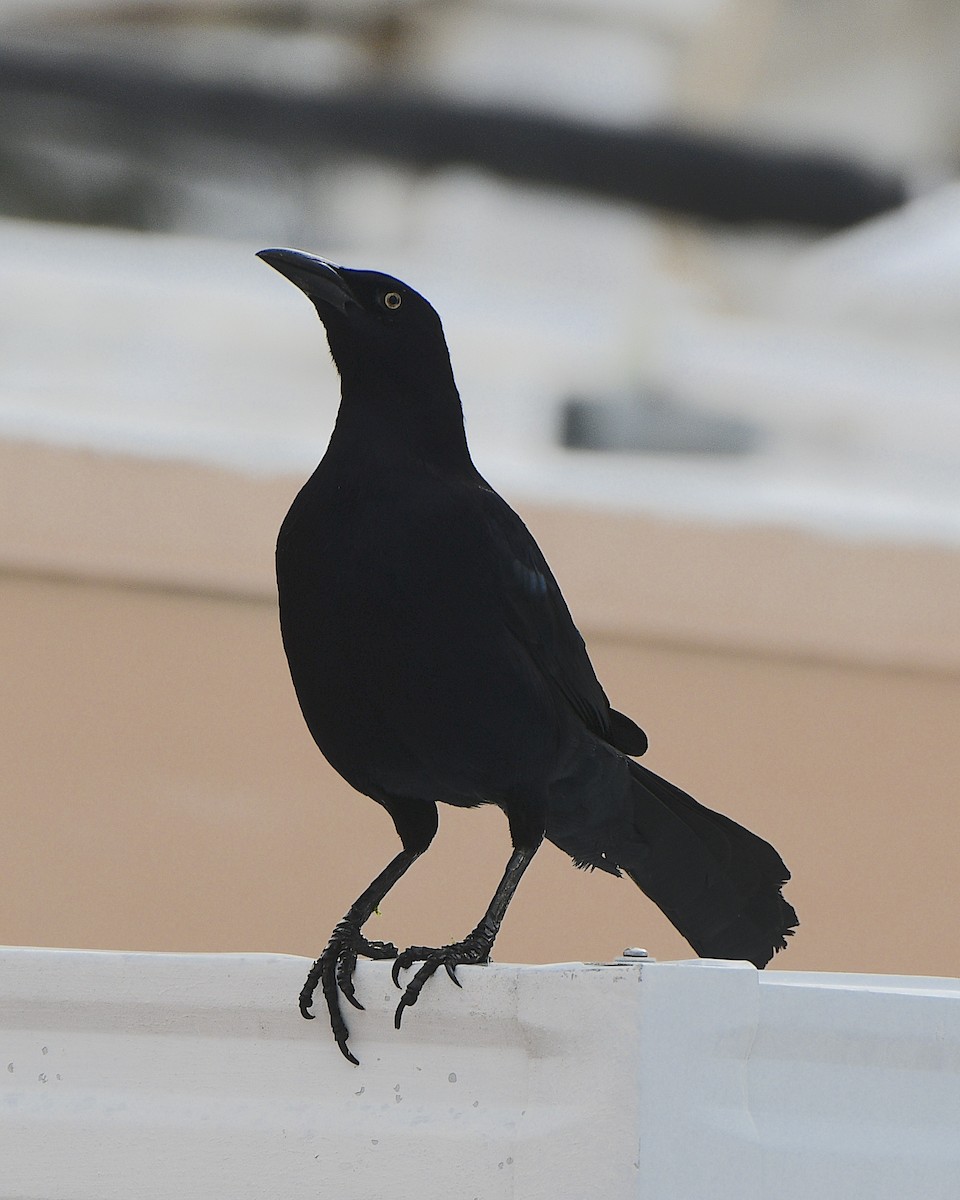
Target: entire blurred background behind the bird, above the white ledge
(699, 263)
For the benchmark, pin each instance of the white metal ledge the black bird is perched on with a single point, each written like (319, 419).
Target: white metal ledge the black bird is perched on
(164, 1076)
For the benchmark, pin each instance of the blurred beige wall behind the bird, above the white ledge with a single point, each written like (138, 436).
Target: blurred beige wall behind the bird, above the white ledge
(160, 790)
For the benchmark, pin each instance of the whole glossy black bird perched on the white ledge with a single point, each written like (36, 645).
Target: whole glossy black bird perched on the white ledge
(435, 659)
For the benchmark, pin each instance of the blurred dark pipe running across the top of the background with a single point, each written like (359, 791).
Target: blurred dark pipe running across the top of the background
(681, 171)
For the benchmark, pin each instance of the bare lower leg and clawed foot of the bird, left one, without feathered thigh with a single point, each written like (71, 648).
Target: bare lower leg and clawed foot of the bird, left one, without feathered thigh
(334, 969)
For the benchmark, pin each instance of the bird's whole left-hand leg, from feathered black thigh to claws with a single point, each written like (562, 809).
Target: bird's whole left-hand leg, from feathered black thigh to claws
(417, 824)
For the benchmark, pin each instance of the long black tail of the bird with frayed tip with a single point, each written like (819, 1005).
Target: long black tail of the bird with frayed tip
(716, 881)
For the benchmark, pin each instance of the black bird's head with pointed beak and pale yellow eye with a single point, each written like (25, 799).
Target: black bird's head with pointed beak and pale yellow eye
(382, 334)
